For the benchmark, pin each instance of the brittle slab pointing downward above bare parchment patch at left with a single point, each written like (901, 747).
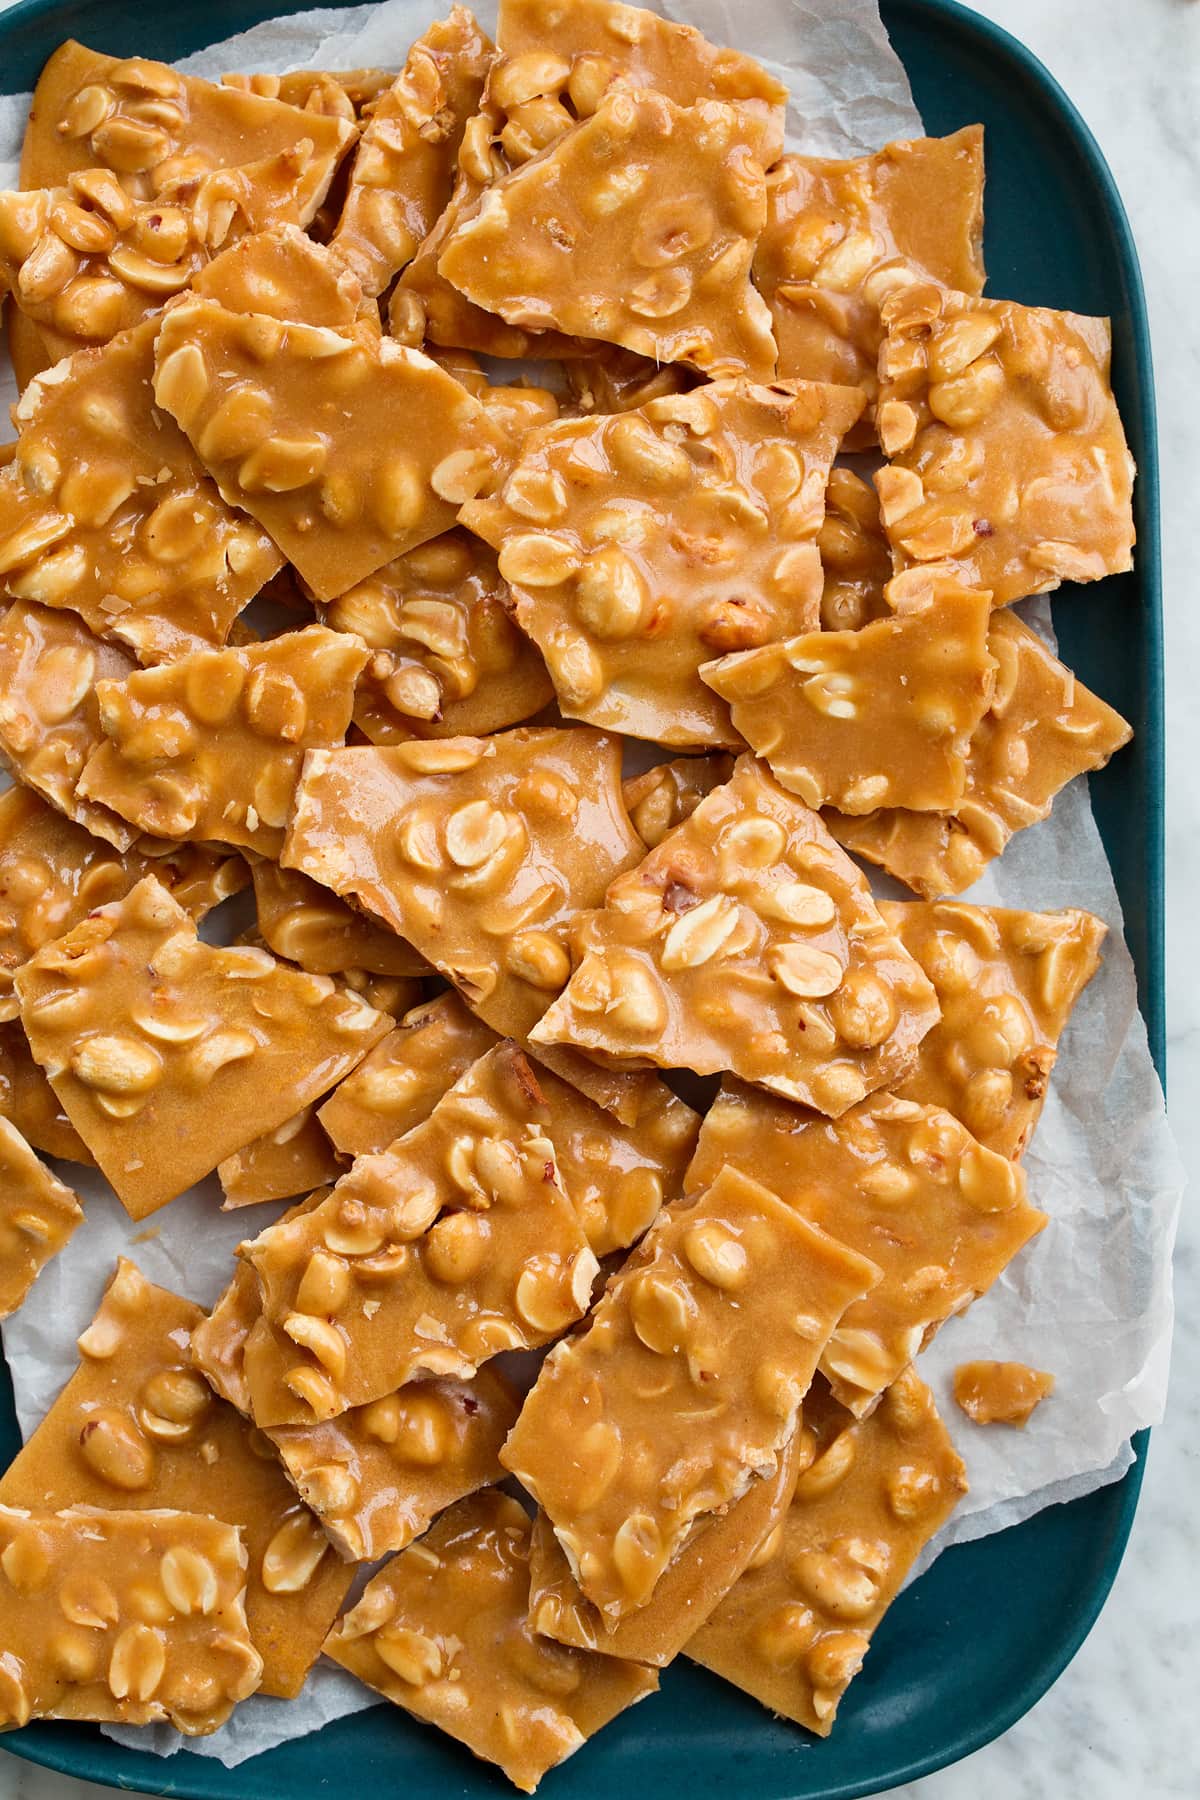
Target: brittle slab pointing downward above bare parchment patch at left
(170, 1054)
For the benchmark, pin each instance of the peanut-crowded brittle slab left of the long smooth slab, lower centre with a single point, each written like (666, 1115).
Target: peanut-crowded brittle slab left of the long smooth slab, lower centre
(424, 1261)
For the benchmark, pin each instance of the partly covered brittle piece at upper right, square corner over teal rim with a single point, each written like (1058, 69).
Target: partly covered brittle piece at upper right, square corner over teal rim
(843, 235)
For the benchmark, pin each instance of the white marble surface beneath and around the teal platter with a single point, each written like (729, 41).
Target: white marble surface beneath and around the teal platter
(1122, 1720)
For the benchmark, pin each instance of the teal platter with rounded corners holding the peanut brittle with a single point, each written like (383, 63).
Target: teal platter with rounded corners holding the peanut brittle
(980, 1639)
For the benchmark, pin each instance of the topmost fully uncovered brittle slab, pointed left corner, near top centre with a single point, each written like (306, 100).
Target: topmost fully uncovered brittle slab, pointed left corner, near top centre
(636, 228)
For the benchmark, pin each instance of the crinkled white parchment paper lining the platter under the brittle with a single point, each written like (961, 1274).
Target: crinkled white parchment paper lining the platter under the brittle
(1091, 1299)
